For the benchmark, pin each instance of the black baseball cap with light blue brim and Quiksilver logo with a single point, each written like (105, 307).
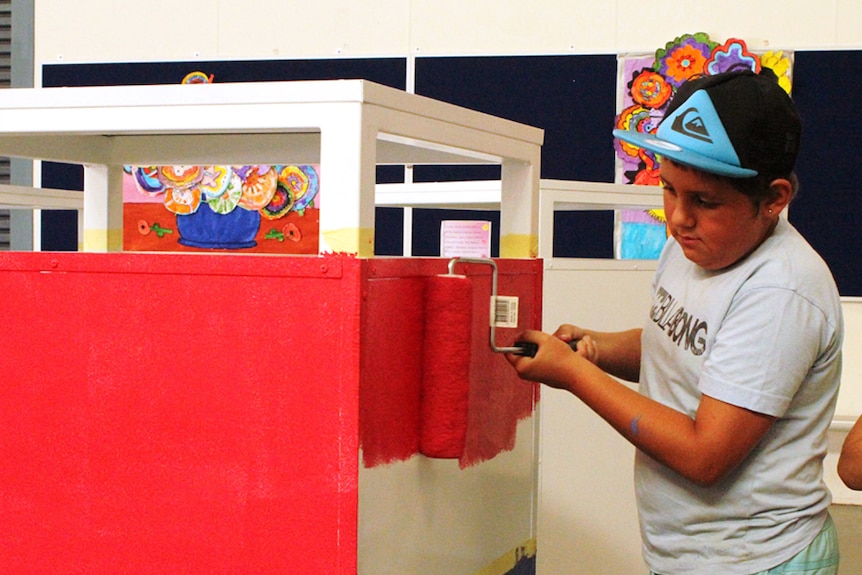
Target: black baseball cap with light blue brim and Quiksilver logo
(738, 124)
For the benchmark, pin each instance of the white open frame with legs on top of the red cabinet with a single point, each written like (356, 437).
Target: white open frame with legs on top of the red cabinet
(347, 126)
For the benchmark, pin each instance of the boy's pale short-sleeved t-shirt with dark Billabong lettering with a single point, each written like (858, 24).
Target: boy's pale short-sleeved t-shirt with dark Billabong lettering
(764, 334)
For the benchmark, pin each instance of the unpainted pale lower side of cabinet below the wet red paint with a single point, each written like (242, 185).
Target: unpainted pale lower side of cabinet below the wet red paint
(429, 516)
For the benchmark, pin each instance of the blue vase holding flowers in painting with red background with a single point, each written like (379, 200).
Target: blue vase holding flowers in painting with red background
(210, 230)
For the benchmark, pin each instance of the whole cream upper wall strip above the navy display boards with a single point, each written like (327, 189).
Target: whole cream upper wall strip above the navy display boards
(154, 30)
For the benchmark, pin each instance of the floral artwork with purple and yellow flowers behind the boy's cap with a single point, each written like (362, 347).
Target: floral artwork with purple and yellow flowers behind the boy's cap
(646, 84)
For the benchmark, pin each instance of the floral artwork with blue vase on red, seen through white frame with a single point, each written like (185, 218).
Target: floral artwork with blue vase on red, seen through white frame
(255, 208)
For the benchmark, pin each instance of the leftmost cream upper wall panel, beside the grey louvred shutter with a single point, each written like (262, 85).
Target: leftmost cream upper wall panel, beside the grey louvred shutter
(125, 30)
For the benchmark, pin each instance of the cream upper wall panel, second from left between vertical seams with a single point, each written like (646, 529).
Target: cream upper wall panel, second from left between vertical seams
(320, 29)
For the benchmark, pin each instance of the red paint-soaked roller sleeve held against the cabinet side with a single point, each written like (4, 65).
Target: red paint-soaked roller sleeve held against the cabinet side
(446, 366)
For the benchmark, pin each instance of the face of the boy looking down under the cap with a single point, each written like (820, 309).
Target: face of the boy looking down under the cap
(714, 224)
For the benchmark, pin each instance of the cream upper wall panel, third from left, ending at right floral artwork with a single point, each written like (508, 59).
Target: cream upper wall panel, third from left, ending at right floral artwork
(443, 27)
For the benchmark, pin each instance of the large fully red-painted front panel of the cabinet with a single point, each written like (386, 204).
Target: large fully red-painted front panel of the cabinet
(178, 414)
